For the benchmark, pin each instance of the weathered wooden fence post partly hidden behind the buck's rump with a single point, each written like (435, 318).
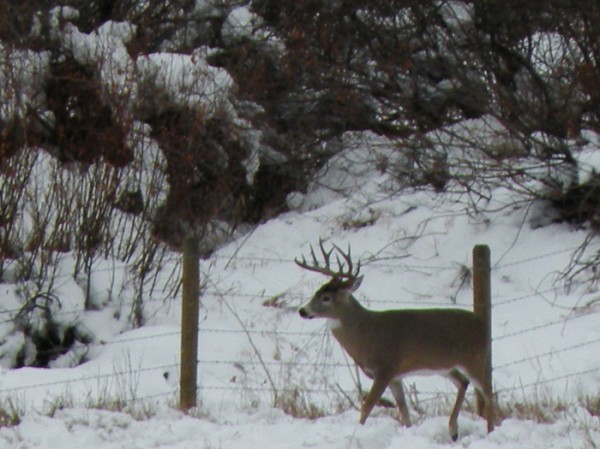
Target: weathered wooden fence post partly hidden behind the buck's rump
(482, 302)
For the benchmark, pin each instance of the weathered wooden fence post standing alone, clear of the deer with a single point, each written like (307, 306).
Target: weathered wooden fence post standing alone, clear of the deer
(190, 305)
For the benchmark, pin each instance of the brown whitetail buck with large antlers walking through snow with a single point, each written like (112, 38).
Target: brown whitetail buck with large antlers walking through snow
(388, 345)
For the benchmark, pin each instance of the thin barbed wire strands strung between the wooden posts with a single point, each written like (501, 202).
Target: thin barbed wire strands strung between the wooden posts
(347, 391)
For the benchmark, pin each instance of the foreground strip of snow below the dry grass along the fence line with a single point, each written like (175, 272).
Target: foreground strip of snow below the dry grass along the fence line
(77, 428)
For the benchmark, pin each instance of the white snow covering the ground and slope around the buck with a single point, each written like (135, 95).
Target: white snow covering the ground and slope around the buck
(415, 250)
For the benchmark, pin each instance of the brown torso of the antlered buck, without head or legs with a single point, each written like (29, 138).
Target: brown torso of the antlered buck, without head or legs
(386, 340)
